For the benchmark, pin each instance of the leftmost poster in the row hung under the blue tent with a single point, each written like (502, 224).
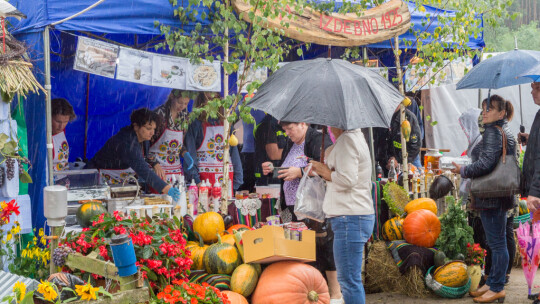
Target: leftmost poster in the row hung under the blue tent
(96, 57)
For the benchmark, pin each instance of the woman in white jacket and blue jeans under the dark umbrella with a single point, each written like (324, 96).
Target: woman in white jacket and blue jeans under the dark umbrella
(349, 207)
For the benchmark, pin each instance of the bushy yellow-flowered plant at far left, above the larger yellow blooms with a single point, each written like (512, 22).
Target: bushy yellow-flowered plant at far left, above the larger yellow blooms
(33, 261)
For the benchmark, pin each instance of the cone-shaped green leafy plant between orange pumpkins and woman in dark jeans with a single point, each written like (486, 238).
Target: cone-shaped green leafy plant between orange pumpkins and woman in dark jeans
(455, 230)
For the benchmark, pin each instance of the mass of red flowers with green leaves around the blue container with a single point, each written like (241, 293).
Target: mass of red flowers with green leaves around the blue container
(159, 245)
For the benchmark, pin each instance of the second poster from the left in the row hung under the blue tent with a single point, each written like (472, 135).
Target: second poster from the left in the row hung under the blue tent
(134, 66)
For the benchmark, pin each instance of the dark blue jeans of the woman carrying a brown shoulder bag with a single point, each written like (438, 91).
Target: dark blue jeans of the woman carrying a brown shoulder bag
(494, 222)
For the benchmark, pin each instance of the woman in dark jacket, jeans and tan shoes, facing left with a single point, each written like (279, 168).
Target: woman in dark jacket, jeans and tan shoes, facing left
(493, 210)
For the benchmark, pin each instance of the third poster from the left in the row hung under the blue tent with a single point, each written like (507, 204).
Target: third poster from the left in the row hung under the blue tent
(169, 71)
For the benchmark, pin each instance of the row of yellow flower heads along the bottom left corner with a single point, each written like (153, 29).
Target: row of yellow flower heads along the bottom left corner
(49, 292)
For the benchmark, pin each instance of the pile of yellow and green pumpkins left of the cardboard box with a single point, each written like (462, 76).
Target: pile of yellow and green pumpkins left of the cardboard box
(220, 253)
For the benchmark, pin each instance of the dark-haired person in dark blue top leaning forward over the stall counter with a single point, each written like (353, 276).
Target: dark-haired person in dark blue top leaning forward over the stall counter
(125, 153)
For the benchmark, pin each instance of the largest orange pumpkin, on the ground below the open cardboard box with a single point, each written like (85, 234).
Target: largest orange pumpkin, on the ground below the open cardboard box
(291, 282)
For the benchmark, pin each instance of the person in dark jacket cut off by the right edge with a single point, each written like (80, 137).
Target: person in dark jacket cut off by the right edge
(531, 162)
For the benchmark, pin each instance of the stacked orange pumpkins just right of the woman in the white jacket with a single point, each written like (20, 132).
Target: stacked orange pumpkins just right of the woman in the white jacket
(419, 225)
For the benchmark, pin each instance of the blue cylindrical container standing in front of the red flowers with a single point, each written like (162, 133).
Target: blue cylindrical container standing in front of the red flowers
(124, 255)
